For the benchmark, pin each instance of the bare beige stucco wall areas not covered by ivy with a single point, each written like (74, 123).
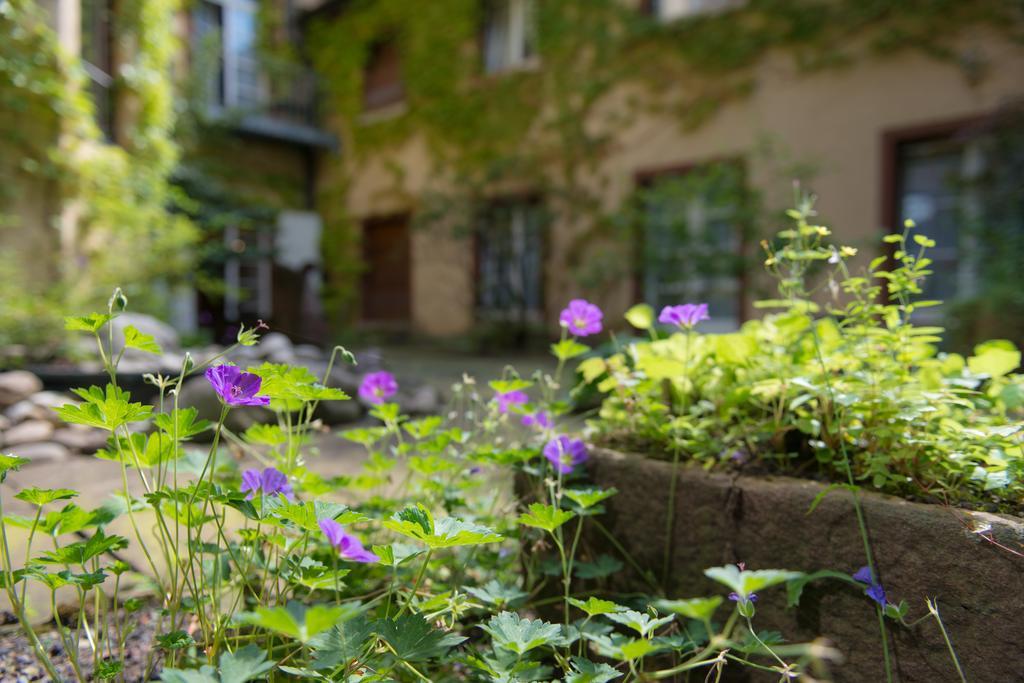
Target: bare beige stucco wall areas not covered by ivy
(834, 119)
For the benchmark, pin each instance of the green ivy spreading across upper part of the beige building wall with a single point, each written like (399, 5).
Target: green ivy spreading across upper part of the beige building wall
(536, 125)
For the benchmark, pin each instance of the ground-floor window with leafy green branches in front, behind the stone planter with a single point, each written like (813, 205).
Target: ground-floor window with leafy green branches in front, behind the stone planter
(691, 239)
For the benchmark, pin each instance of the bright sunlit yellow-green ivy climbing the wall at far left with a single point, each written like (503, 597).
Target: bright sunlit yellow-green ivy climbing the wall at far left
(112, 200)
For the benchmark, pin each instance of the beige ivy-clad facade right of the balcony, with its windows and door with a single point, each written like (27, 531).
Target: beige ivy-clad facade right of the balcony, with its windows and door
(638, 168)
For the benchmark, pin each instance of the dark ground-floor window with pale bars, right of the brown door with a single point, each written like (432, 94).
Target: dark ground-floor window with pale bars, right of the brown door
(510, 263)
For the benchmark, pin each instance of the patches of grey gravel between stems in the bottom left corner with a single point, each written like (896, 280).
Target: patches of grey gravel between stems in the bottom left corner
(19, 664)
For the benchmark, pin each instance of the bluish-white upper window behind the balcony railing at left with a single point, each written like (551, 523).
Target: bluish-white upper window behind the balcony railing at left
(225, 38)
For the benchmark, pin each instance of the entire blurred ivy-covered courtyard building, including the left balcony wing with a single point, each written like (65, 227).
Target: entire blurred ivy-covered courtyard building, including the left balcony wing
(461, 168)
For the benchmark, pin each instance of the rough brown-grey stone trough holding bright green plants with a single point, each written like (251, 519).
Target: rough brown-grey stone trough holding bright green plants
(921, 551)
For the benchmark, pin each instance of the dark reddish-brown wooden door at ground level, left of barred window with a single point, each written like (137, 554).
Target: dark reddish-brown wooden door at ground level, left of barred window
(387, 285)
